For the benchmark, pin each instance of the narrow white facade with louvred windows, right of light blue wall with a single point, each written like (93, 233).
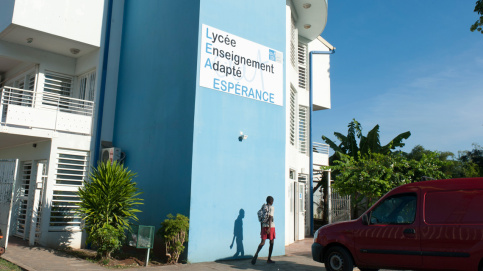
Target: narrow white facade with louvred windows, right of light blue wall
(308, 74)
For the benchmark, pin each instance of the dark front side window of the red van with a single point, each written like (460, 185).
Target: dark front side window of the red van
(398, 209)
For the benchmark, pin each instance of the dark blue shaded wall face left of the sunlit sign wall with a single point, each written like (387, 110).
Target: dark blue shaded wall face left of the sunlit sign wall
(156, 102)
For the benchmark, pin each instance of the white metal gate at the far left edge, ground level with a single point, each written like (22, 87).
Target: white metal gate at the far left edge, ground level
(8, 176)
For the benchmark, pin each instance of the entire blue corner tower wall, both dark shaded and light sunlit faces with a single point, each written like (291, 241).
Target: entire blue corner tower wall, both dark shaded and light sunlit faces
(182, 139)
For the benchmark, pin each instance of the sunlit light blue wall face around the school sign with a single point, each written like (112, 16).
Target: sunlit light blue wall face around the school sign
(229, 175)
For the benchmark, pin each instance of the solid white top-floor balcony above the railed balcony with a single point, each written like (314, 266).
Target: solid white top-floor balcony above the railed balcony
(53, 26)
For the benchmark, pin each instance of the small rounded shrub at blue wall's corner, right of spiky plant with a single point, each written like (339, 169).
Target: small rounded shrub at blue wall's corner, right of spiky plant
(174, 231)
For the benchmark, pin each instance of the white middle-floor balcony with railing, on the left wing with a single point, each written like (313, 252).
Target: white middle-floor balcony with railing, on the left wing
(44, 111)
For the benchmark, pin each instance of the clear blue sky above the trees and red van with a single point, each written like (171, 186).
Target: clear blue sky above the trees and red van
(408, 66)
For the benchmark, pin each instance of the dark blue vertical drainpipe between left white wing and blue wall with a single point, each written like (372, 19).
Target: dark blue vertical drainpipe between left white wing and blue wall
(102, 87)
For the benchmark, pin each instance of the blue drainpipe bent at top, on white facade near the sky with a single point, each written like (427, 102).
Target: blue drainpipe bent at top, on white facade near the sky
(311, 144)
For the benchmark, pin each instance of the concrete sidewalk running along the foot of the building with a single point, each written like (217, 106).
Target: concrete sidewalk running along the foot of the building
(298, 258)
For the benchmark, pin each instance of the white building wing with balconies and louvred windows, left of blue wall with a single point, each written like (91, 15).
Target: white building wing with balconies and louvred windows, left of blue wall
(49, 52)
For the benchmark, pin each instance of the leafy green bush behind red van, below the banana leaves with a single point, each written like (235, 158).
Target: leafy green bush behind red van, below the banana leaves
(372, 175)
